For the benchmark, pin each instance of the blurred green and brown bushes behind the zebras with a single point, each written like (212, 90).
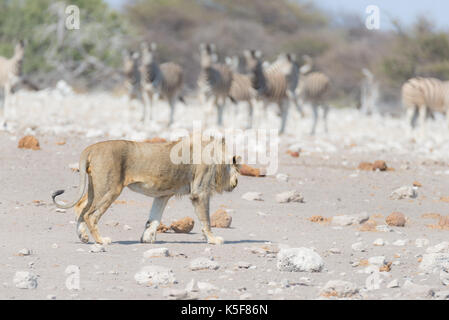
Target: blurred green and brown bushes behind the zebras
(92, 56)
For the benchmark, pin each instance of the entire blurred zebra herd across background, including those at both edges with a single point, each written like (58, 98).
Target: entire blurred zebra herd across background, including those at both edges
(246, 78)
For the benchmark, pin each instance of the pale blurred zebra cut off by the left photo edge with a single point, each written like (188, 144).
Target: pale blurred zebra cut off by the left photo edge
(11, 75)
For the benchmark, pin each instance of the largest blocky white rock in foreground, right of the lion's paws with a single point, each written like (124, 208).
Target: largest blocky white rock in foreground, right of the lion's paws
(299, 260)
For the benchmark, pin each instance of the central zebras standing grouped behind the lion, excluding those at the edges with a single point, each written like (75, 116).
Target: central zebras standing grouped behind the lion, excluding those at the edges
(252, 80)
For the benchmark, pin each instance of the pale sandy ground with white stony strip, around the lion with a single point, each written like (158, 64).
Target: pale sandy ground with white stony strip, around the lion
(325, 174)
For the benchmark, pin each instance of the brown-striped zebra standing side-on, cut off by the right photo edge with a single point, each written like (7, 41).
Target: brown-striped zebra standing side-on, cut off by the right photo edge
(422, 96)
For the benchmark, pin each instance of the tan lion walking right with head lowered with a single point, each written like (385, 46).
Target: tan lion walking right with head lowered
(147, 168)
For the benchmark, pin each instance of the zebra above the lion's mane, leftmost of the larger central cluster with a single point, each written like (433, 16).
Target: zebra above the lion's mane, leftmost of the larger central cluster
(215, 79)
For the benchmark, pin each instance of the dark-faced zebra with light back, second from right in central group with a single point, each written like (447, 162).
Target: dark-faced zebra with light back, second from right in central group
(270, 82)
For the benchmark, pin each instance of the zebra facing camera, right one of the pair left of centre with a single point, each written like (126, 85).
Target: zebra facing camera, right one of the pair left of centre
(164, 79)
